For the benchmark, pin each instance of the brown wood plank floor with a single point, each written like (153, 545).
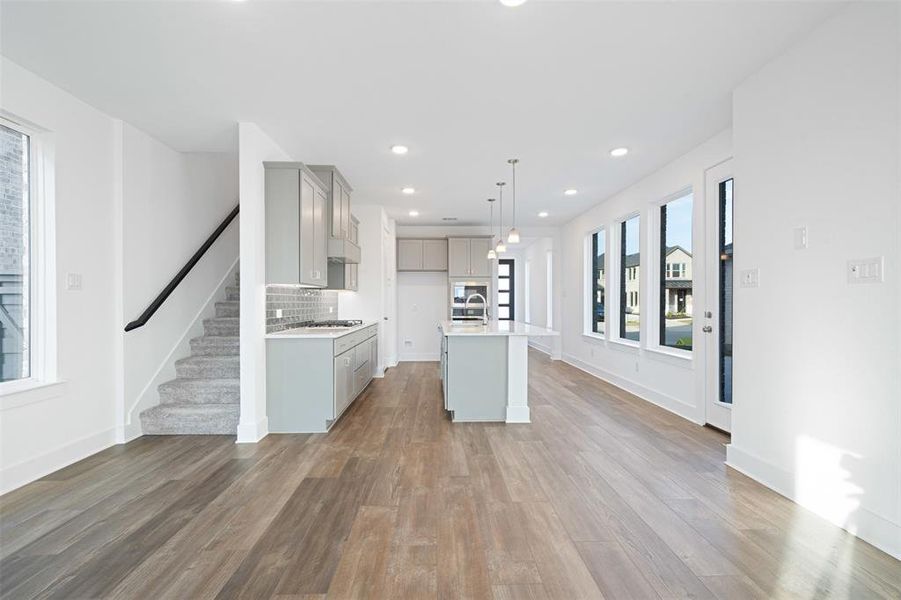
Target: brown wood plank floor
(603, 495)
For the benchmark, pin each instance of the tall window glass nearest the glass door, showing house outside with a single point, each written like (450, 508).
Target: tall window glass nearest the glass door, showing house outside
(675, 280)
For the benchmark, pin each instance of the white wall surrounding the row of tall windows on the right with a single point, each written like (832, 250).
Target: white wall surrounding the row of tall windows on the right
(674, 383)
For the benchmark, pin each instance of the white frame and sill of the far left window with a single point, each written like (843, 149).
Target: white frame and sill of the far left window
(42, 265)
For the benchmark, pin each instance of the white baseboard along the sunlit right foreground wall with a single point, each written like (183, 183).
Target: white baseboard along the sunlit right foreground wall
(863, 523)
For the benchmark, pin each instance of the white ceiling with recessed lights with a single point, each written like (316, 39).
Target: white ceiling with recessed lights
(465, 85)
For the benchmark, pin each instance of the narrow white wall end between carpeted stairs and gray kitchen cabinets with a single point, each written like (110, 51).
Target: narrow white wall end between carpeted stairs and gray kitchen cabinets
(254, 147)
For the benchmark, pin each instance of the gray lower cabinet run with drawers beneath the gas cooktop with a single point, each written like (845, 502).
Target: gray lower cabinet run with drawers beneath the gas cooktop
(310, 382)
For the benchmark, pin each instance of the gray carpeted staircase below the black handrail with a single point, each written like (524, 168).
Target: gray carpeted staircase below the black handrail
(204, 398)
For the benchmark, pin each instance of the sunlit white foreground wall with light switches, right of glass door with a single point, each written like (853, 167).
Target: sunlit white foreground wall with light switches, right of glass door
(817, 395)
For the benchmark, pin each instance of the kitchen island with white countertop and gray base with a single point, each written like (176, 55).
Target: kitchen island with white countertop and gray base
(485, 369)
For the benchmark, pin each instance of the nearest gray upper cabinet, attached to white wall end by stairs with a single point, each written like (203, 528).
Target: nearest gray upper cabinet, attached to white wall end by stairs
(296, 235)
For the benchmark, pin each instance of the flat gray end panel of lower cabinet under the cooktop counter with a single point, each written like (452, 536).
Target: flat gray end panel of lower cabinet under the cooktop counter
(299, 385)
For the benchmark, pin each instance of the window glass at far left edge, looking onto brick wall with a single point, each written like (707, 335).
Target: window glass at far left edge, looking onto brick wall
(15, 255)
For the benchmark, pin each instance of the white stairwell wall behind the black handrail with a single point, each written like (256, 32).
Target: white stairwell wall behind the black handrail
(172, 202)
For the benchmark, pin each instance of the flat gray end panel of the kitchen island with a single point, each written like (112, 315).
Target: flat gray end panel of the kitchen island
(477, 377)
